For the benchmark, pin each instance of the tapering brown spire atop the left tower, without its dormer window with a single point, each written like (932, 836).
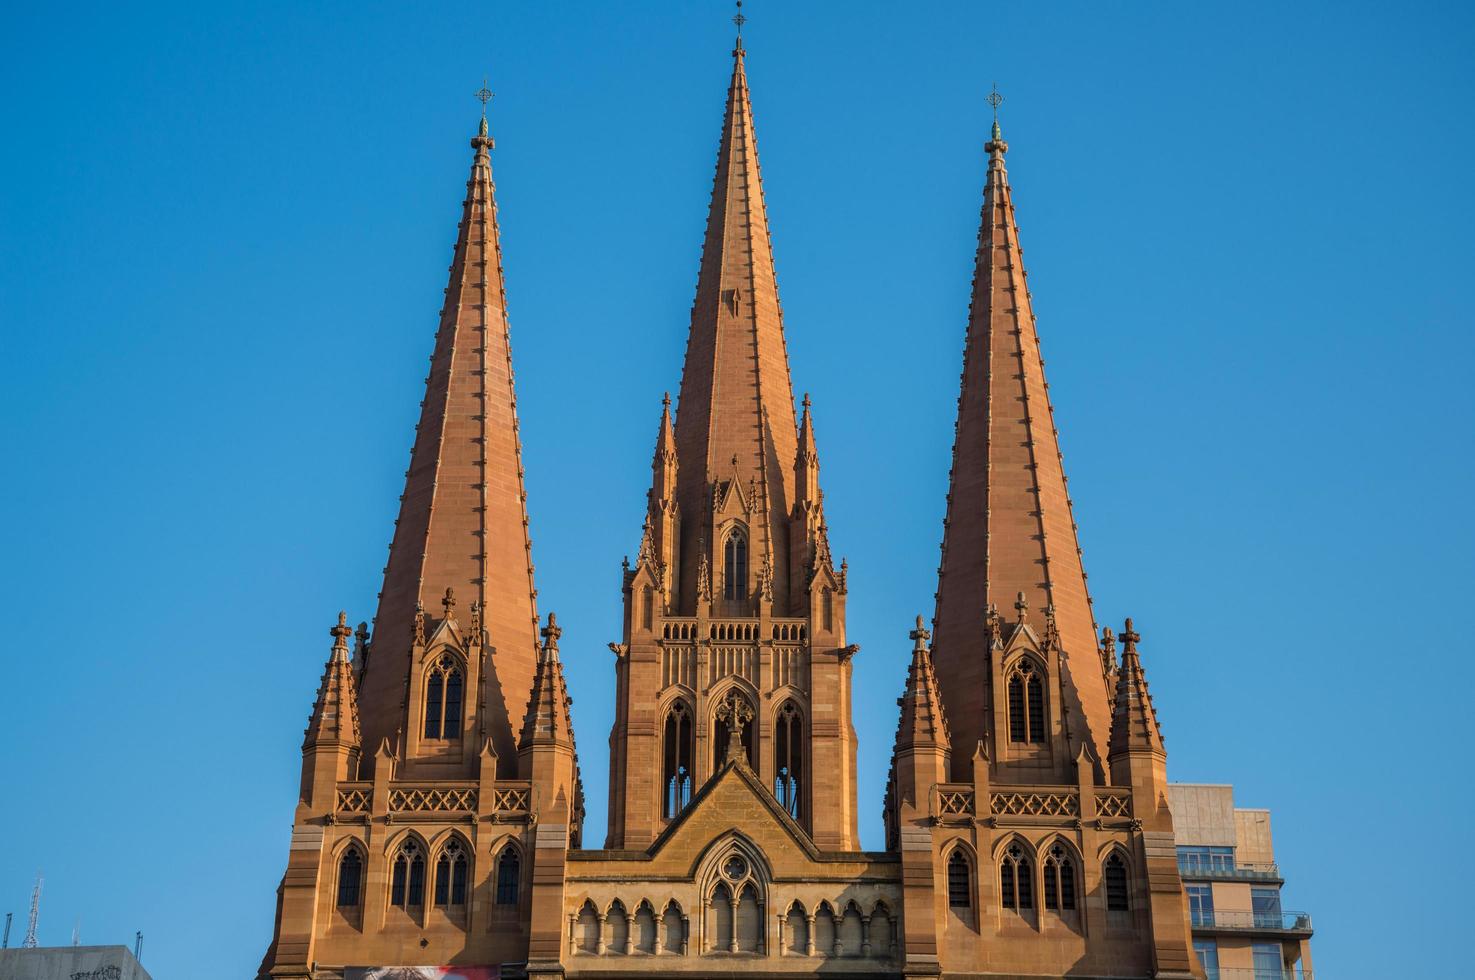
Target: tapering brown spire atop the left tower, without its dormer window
(462, 519)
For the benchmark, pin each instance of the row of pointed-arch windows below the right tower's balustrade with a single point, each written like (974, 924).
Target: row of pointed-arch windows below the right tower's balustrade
(1033, 879)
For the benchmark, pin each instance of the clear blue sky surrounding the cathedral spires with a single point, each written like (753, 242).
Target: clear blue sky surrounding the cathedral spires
(223, 243)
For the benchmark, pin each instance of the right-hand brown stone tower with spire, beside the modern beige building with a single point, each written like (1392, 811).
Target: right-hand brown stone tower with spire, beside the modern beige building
(1035, 857)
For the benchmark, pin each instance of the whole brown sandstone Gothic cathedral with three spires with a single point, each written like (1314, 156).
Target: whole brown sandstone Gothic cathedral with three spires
(440, 829)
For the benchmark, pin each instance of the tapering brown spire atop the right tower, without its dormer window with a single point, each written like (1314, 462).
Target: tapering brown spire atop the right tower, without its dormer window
(1010, 528)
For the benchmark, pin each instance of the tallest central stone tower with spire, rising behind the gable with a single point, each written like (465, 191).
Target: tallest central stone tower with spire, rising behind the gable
(734, 603)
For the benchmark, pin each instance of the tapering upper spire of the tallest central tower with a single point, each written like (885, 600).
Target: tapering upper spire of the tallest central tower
(735, 426)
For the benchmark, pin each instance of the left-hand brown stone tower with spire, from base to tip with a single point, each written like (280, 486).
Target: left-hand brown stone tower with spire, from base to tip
(436, 749)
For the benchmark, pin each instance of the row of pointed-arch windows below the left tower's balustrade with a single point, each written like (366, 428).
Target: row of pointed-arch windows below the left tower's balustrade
(424, 877)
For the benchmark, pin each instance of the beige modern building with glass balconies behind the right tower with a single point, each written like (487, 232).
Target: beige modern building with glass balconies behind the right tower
(1228, 864)
